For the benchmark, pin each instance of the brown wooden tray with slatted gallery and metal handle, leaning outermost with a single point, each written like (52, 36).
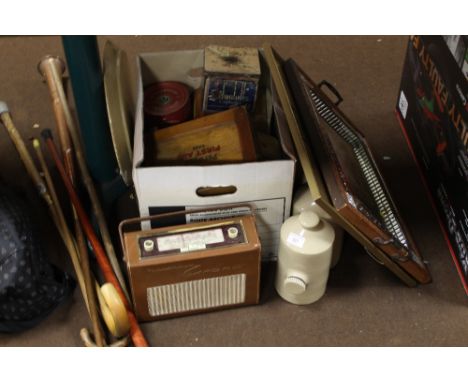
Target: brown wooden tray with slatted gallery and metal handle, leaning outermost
(355, 185)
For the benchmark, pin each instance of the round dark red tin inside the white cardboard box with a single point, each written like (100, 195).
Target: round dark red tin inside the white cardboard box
(167, 103)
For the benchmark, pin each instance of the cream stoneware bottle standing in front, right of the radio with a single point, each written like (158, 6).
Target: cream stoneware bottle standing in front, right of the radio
(304, 258)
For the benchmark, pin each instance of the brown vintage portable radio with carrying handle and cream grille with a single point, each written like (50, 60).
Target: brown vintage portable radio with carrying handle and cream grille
(192, 268)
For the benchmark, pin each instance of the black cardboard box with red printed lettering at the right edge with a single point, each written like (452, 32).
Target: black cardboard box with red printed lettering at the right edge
(433, 112)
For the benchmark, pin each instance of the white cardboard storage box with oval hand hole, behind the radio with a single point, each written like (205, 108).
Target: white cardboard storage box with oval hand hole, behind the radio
(266, 185)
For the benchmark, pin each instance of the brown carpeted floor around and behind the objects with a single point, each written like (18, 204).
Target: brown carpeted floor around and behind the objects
(364, 304)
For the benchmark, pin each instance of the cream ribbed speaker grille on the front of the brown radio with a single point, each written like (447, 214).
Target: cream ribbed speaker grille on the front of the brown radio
(196, 295)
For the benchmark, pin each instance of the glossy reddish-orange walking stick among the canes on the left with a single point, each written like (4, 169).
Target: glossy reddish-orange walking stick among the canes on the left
(106, 268)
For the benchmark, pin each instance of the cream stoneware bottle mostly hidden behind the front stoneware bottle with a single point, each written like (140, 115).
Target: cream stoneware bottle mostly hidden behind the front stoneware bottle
(303, 201)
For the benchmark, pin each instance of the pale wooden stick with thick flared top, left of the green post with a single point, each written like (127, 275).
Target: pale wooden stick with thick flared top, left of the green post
(50, 68)
